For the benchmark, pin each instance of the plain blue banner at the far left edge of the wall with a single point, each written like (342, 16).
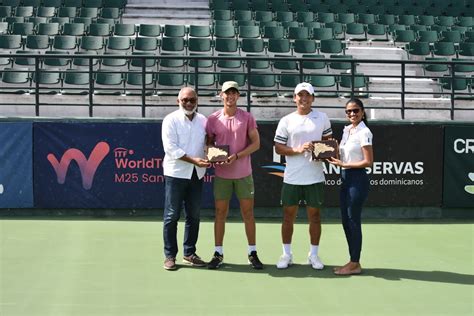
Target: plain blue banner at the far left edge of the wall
(16, 175)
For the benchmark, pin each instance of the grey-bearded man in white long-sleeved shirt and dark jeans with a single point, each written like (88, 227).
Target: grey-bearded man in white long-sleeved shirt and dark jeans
(183, 134)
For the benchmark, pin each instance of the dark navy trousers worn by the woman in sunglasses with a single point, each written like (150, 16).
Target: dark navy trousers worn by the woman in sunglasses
(354, 191)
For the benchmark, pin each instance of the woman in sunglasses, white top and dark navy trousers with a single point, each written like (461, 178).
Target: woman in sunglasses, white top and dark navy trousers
(356, 154)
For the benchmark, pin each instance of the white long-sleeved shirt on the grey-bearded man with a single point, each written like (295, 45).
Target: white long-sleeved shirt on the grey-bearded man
(182, 136)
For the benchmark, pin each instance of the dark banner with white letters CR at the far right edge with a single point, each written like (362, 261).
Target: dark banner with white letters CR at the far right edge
(458, 166)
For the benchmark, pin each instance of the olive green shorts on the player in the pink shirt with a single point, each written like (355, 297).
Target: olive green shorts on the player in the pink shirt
(243, 188)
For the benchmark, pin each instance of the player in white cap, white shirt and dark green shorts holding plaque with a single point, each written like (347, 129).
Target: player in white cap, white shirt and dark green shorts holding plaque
(303, 178)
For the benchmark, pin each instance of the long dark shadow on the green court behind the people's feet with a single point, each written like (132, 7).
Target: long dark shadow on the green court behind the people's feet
(304, 271)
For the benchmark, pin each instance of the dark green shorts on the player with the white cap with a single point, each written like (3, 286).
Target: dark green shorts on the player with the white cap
(311, 195)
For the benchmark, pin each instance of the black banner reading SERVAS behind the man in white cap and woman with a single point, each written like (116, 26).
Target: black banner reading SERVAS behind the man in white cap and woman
(407, 168)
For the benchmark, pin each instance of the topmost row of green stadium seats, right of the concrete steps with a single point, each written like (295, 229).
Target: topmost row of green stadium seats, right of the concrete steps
(438, 7)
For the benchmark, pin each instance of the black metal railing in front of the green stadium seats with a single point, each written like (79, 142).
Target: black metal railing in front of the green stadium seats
(255, 82)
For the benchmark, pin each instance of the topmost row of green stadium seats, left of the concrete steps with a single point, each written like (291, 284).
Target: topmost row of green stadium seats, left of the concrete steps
(65, 3)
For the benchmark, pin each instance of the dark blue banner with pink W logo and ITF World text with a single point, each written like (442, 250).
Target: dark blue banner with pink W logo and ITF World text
(100, 165)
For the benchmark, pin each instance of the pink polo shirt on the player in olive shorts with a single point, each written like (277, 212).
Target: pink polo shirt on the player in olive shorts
(232, 131)
